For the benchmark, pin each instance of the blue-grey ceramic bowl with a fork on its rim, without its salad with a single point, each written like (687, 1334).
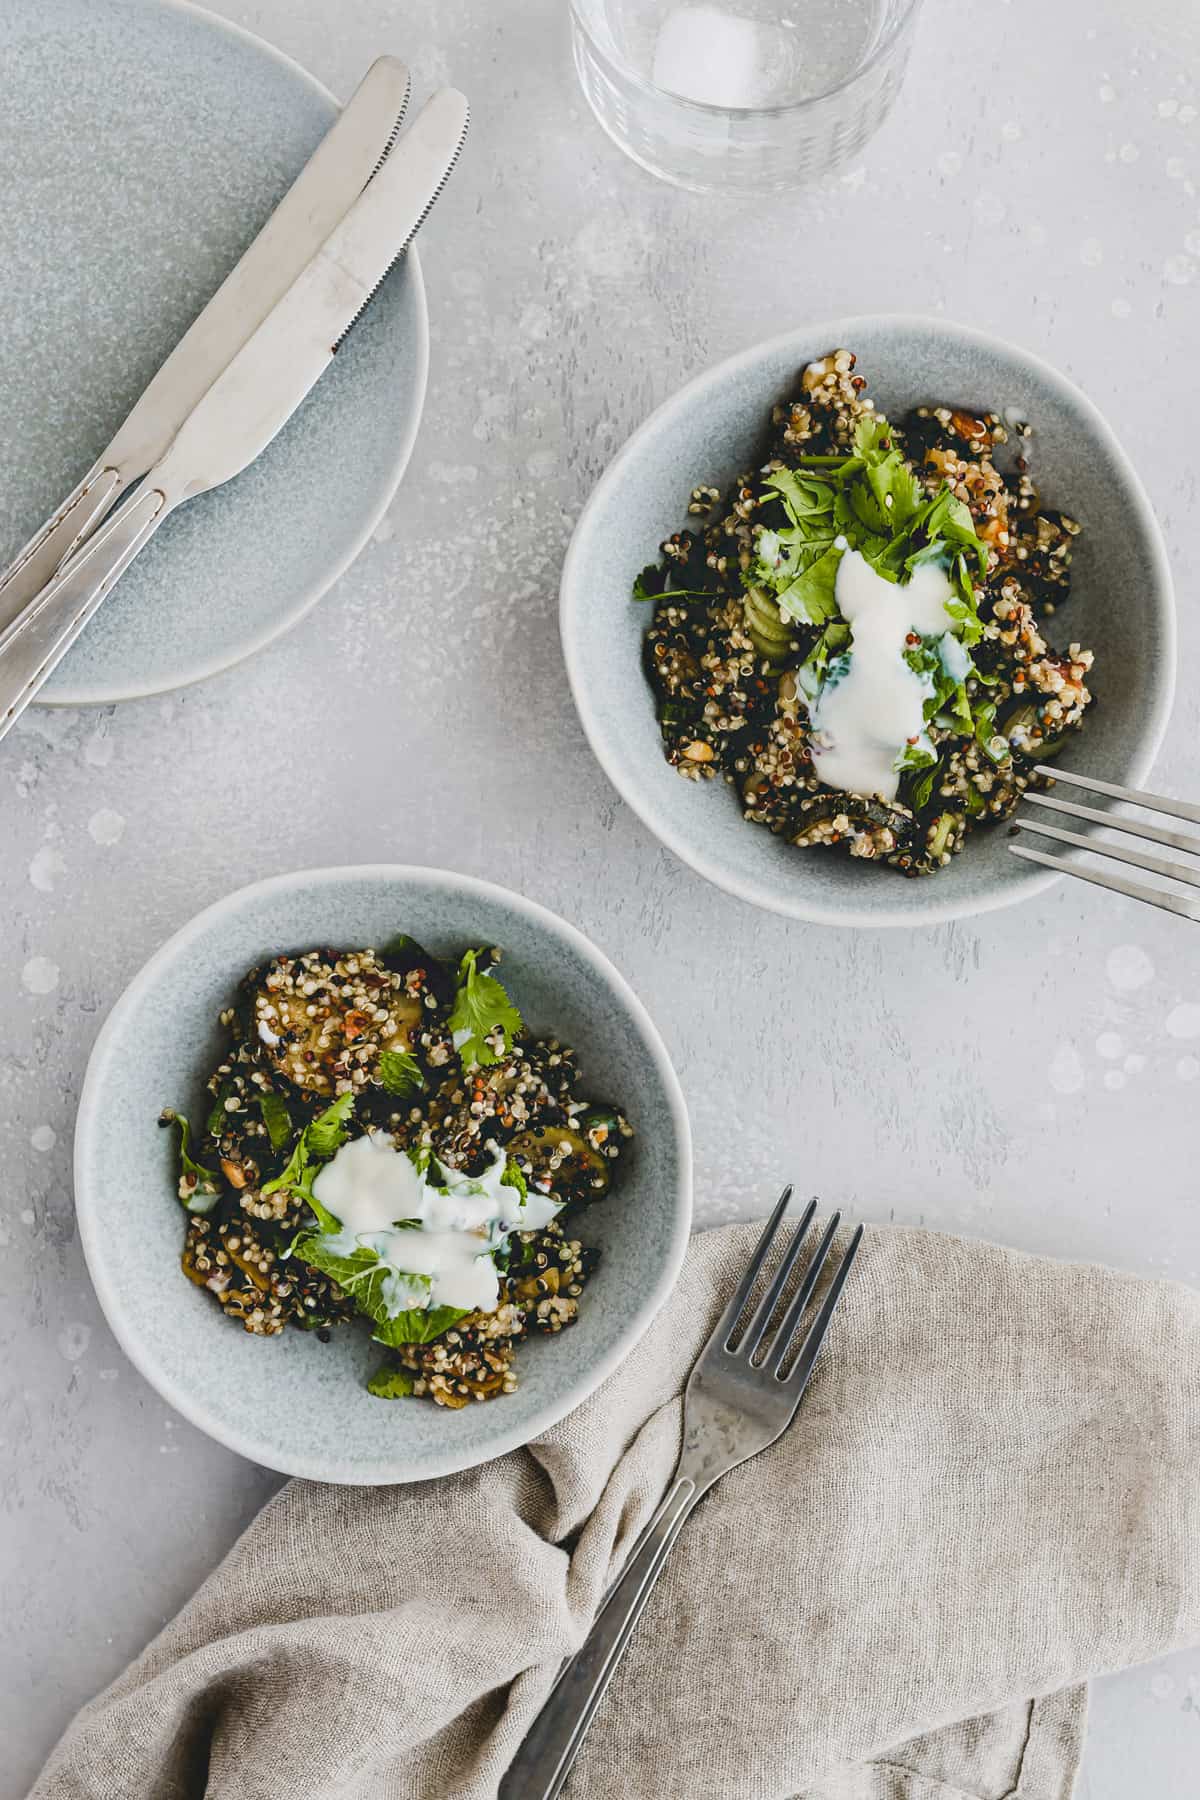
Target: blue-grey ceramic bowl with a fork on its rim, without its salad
(715, 429)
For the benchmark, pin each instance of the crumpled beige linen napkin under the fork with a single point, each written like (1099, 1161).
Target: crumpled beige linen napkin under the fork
(990, 1493)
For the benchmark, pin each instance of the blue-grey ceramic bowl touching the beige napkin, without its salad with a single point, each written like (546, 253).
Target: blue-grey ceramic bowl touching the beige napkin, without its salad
(294, 1403)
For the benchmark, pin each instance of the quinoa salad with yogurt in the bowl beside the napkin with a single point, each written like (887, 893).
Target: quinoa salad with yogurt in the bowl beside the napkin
(388, 1142)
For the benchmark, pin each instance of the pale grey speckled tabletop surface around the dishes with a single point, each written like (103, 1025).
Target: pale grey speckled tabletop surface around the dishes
(1032, 1077)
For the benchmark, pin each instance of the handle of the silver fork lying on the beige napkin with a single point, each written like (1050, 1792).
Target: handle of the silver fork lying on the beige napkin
(551, 1747)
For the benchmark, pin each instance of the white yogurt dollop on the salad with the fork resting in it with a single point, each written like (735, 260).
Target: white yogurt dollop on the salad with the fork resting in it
(864, 719)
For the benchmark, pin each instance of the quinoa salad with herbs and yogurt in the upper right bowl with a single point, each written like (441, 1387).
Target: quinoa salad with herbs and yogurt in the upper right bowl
(855, 636)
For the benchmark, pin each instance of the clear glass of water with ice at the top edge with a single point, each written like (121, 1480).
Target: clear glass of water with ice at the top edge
(742, 96)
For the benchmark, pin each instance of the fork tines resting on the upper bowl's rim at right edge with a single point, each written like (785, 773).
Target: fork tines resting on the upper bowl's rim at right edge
(1115, 822)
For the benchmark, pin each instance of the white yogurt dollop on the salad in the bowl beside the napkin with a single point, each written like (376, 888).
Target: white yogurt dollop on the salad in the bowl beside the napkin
(370, 1187)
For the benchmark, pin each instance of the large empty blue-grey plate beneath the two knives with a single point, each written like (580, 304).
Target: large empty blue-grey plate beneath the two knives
(143, 147)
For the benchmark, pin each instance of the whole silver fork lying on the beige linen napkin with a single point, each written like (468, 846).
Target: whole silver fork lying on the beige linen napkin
(742, 1396)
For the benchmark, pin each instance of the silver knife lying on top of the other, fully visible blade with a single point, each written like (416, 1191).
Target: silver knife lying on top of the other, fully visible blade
(251, 397)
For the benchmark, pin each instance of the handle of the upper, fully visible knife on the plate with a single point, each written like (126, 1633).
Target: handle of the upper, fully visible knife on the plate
(44, 633)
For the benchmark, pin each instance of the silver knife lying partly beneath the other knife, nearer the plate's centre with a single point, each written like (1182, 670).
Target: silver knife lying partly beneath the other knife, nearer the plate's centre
(337, 172)
